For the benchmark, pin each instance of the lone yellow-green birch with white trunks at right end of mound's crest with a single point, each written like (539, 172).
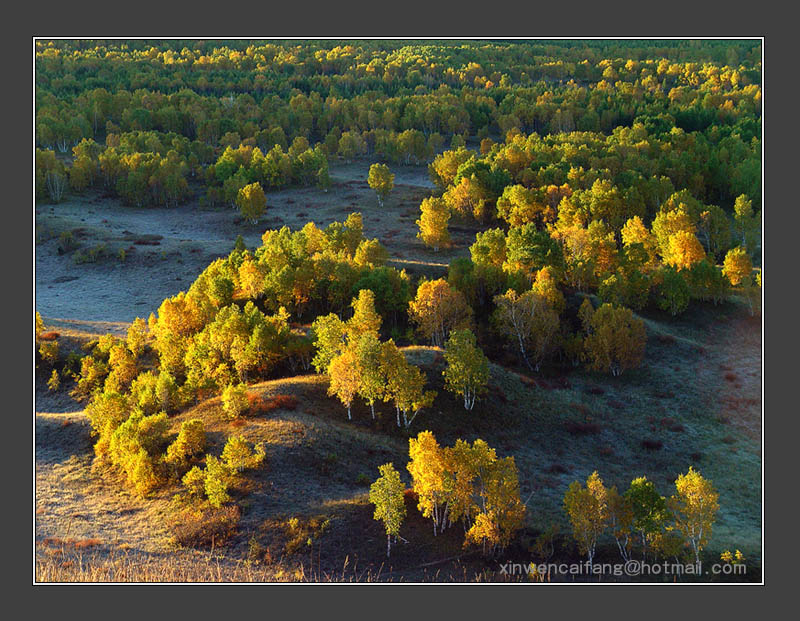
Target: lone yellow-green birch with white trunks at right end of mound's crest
(467, 372)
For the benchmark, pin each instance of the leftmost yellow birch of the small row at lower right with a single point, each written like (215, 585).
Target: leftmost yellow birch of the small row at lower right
(587, 508)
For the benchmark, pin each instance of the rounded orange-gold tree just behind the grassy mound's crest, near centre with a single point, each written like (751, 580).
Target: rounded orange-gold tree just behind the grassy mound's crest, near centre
(437, 309)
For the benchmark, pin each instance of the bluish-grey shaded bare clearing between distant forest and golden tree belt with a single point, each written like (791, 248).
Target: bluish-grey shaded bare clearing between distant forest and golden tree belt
(166, 248)
